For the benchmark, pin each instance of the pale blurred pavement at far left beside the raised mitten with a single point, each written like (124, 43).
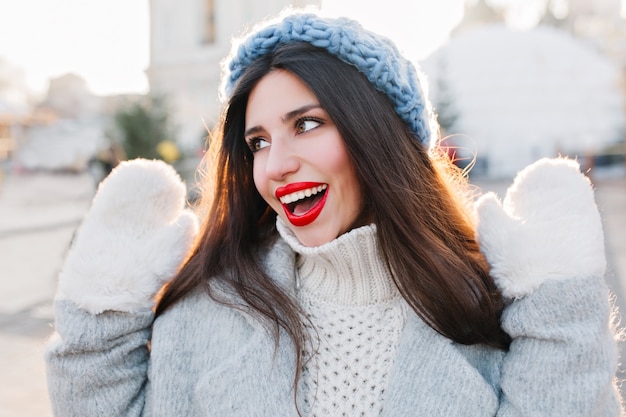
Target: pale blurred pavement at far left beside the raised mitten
(38, 215)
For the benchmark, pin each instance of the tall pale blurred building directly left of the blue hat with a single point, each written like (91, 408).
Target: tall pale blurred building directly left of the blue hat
(188, 40)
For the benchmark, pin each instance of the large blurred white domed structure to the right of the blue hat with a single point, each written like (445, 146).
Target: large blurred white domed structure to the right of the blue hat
(510, 96)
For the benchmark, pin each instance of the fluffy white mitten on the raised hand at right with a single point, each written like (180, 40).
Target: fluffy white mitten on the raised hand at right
(547, 228)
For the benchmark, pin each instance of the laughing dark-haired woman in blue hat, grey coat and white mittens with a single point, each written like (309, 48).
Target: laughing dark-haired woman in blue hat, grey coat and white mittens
(336, 270)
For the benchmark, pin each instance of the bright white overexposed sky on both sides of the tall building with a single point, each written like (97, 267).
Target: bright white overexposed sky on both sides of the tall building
(107, 41)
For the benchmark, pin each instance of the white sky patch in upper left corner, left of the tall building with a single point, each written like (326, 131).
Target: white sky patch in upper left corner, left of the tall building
(104, 41)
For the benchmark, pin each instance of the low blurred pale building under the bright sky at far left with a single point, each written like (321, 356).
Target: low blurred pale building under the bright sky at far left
(66, 130)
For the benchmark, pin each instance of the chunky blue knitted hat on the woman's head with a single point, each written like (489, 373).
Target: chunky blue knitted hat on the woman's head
(373, 55)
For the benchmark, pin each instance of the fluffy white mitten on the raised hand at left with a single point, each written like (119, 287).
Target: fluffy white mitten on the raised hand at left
(133, 239)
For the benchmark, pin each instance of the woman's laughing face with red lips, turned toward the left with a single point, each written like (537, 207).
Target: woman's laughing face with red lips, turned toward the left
(301, 166)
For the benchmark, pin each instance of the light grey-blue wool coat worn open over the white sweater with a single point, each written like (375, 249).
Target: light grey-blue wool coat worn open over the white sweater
(212, 360)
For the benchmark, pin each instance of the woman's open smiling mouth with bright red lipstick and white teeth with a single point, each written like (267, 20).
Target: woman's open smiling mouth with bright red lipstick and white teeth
(302, 202)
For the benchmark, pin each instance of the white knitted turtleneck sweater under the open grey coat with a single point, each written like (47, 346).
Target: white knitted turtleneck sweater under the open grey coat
(357, 315)
